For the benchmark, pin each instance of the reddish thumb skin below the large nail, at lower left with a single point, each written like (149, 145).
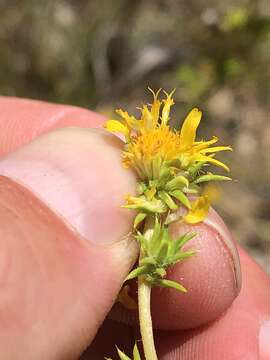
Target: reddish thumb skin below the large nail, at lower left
(48, 309)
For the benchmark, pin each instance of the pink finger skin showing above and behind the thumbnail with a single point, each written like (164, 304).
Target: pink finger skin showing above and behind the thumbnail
(22, 120)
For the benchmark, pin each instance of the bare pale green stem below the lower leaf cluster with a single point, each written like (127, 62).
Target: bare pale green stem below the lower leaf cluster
(144, 296)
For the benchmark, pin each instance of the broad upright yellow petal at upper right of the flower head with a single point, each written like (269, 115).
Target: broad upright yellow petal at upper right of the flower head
(189, 128)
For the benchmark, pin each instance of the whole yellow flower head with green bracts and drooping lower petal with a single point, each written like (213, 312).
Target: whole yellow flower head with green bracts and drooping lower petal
(160, 155)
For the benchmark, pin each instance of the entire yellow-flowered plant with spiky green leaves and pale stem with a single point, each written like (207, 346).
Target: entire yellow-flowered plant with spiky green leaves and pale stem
(170, 165)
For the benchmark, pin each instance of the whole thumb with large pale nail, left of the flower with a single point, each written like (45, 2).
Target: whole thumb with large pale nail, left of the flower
(64, 245)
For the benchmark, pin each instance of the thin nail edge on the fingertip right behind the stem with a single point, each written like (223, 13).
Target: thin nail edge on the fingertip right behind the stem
(222, 234)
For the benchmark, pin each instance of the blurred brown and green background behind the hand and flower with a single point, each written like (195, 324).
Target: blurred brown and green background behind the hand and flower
(103, 54)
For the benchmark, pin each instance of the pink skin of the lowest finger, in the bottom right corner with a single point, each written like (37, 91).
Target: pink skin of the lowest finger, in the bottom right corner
(235, 335)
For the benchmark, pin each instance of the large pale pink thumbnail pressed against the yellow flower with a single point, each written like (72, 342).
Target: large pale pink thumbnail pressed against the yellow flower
(78, 173)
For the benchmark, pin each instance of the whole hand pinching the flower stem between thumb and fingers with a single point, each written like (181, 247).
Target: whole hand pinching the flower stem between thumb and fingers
(64, 253)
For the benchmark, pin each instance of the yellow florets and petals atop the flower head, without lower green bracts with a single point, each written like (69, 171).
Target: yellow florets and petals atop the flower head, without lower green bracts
(150, 143)
